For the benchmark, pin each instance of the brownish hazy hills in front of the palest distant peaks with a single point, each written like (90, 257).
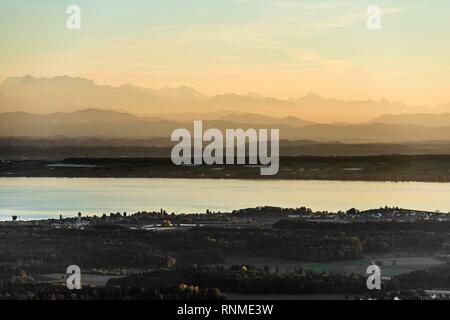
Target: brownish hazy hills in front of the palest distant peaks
(111, 124)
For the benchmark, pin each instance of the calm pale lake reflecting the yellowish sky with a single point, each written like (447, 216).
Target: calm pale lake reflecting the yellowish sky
(35, 198)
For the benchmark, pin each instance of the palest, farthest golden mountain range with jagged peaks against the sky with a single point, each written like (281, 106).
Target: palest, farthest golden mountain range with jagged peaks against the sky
(67, 94)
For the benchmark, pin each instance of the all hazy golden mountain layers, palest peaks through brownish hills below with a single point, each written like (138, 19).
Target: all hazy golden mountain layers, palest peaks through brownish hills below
(76, 107)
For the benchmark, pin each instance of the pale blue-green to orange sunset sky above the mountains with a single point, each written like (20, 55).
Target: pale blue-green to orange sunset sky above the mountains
(279, 48)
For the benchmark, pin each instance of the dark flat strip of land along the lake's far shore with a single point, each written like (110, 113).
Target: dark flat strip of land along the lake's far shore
(388, 168)
